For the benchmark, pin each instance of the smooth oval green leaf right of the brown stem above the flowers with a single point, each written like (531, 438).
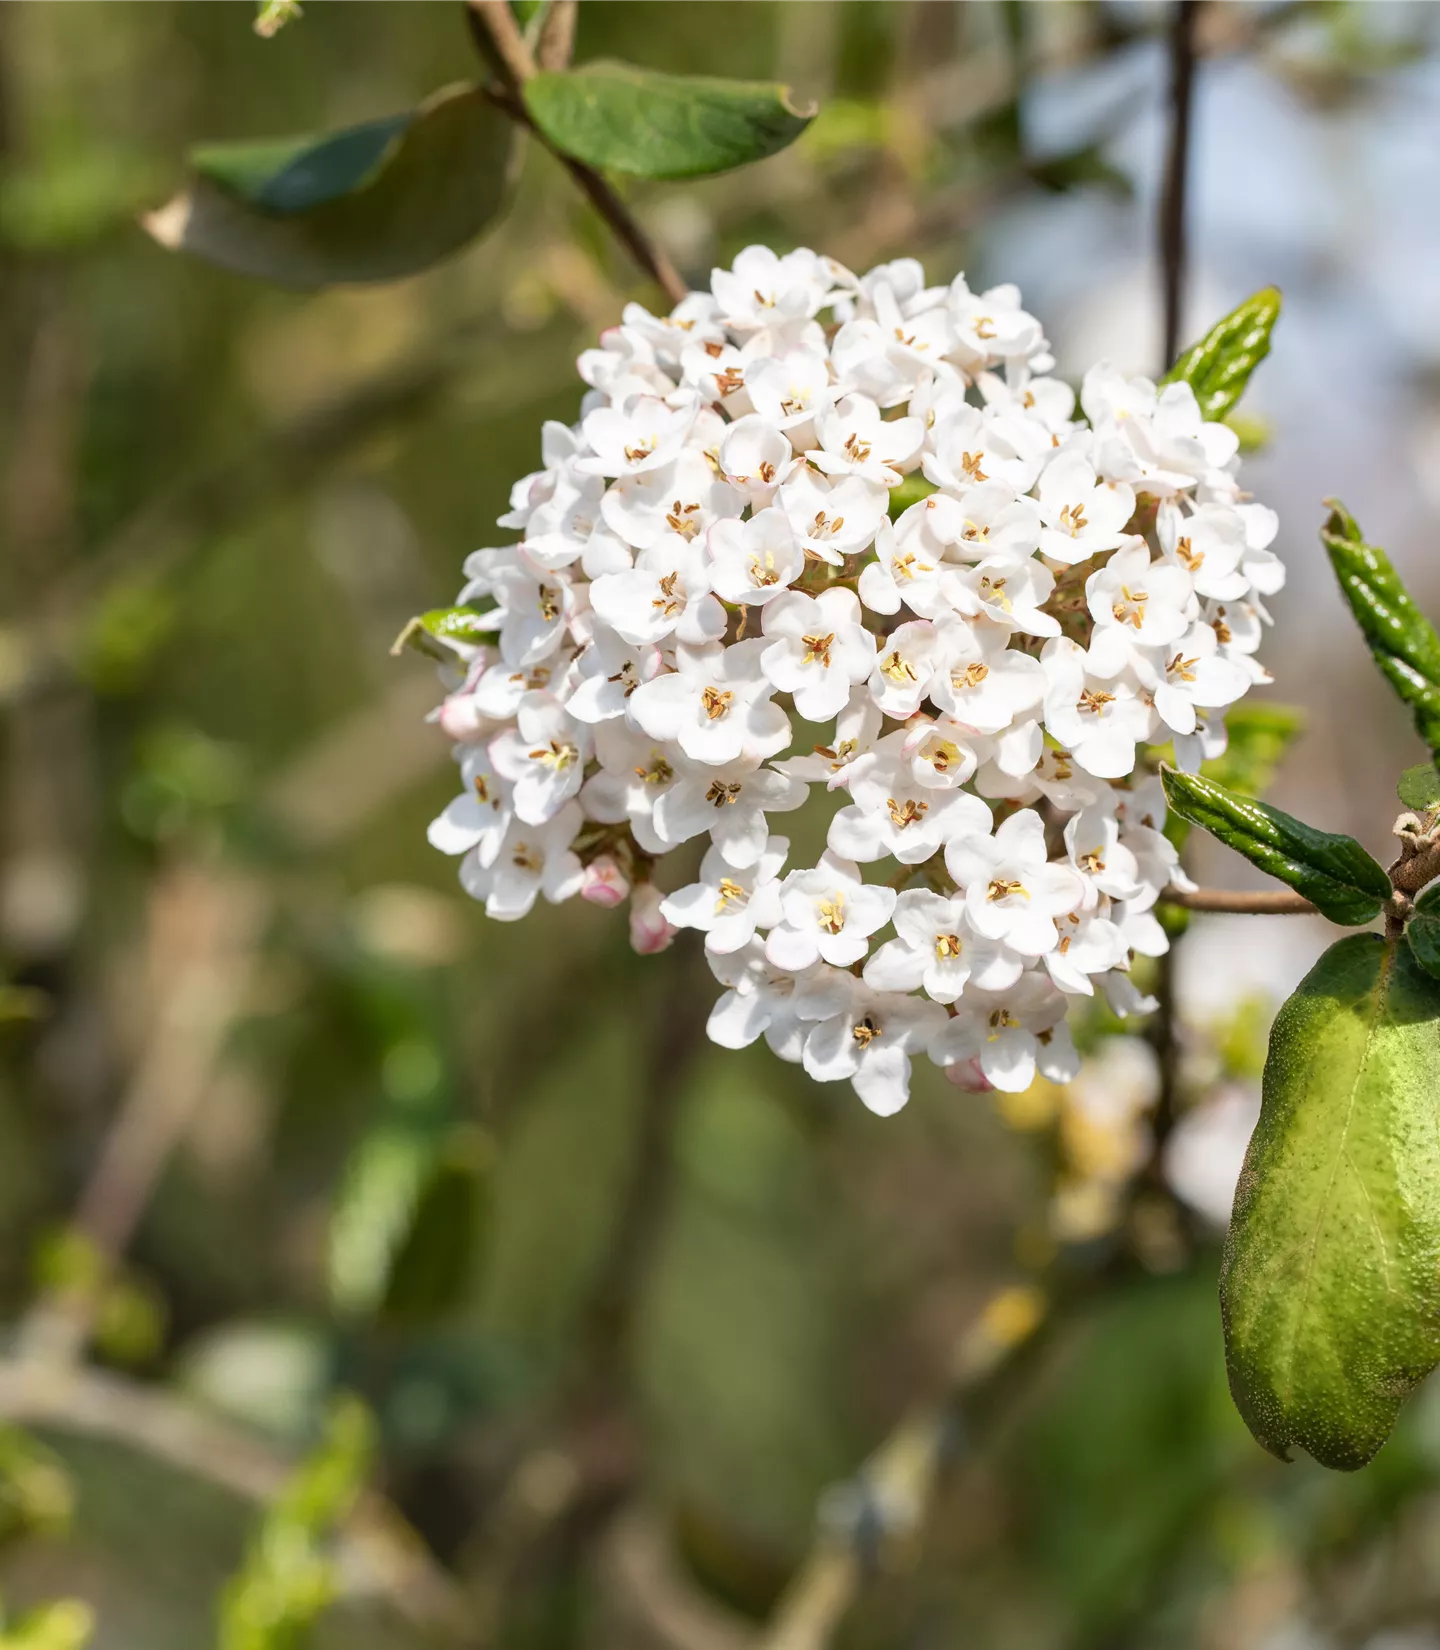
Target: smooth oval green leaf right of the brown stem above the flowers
(662, 126)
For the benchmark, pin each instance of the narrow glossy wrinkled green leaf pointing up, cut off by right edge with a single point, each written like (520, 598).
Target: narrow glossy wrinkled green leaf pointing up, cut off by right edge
(1401, 638)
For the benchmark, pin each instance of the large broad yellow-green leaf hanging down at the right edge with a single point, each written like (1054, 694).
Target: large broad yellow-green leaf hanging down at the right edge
(1330, 1286)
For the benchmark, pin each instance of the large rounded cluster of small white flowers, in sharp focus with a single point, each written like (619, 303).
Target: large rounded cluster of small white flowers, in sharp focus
(723, 549)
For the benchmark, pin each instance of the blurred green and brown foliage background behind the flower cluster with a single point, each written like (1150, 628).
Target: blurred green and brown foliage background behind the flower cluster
(385, 1278)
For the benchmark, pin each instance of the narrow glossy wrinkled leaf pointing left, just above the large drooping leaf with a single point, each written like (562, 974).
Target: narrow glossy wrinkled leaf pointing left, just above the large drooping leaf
(1334, 872)
